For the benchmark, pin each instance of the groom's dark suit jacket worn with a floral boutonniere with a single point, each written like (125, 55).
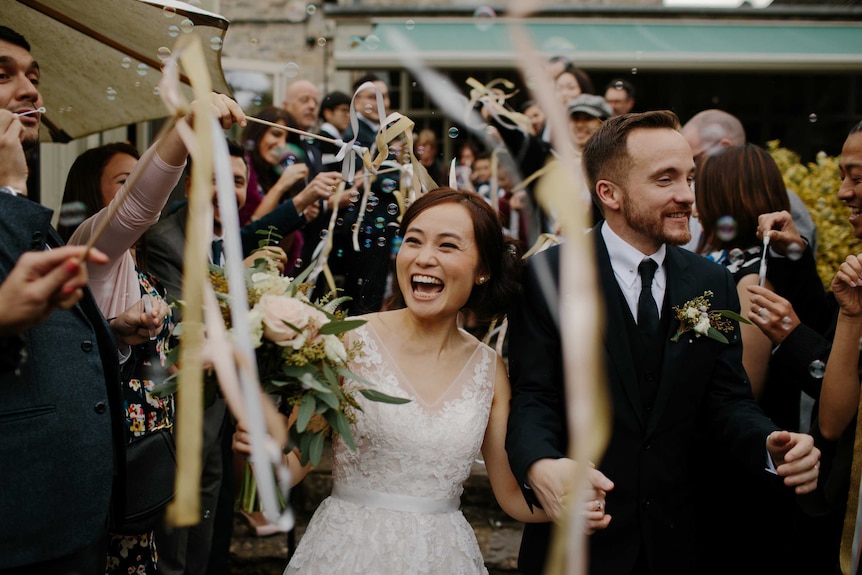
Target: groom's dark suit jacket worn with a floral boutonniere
(702, 391)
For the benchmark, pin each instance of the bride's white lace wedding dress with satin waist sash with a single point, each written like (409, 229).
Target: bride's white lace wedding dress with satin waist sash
(394, 508)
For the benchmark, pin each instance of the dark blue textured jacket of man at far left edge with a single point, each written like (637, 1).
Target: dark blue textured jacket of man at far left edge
(61, 420)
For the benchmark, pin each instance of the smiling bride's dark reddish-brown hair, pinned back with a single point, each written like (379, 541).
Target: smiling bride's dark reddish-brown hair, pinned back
(499, 255)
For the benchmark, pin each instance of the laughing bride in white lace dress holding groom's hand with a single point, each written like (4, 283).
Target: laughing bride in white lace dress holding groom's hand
(394, 507)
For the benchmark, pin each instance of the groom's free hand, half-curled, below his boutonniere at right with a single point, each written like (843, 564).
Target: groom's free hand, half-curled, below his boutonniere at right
(796, 459)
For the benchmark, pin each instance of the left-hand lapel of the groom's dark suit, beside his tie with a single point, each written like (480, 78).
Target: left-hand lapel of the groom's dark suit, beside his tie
(616, 339)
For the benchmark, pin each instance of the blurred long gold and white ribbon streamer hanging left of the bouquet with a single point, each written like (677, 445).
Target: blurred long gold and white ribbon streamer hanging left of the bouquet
(206, 144)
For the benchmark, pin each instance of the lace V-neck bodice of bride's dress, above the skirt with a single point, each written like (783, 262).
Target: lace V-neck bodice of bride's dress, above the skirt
(415, 448)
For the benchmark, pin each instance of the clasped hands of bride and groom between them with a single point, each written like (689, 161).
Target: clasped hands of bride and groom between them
(550, 480)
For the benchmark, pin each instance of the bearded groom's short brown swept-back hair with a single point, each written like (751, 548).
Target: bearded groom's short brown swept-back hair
(606, 154)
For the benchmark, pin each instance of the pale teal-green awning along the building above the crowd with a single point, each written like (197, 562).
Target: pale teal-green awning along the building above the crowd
(611, 44)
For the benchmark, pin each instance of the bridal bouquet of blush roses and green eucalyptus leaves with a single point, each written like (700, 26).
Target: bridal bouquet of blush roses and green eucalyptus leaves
(301, 353)
